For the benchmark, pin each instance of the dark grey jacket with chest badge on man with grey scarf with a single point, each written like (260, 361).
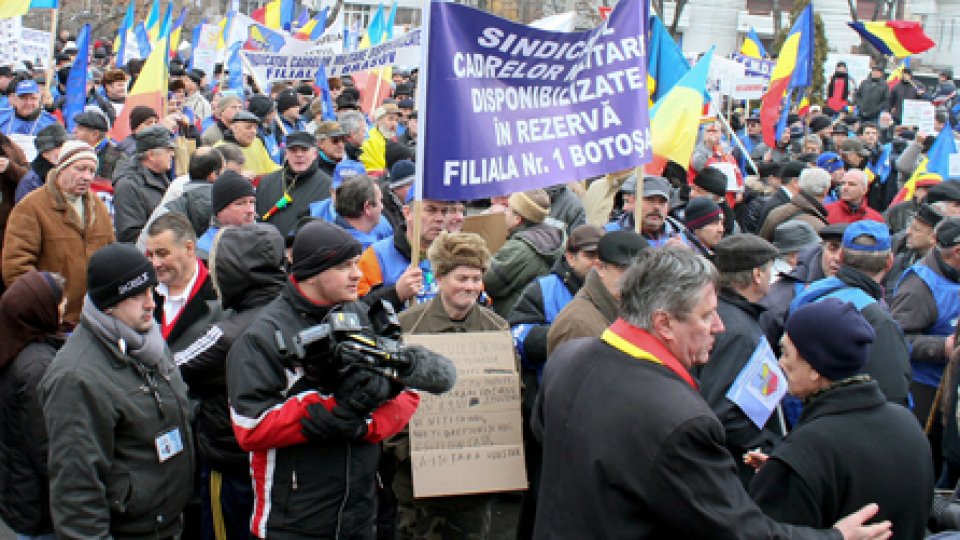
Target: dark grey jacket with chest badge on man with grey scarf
(103, 420)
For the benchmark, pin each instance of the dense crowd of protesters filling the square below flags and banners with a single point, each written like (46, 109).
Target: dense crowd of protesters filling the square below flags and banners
(153, 288)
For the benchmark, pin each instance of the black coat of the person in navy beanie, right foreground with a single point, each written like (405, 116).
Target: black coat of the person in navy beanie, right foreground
(850, 448)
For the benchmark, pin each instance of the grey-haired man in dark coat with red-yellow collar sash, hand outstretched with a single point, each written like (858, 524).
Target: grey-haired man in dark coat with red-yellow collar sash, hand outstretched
(638, 449)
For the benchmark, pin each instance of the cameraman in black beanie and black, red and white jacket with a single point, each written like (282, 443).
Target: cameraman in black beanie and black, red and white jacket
(313, 439)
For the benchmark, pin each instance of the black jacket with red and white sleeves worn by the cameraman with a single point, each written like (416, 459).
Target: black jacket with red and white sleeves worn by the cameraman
(304, 489)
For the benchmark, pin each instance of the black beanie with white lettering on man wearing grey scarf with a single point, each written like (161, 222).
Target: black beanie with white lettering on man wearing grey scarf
(117, 272)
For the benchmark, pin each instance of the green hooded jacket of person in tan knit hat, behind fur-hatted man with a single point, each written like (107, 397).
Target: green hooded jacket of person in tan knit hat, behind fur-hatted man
(530, 252)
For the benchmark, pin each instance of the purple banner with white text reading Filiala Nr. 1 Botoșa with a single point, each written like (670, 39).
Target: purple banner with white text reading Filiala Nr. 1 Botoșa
(505, 107)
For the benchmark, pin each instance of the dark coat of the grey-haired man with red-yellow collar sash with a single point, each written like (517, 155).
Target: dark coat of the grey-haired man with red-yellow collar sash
(611, 472)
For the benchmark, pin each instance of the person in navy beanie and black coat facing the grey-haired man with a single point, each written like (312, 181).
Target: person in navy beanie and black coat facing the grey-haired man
(851, 447)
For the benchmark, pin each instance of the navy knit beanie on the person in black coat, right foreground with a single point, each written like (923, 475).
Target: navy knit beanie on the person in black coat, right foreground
(832, 336)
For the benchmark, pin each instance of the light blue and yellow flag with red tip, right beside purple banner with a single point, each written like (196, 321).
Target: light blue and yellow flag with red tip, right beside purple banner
(675, 119)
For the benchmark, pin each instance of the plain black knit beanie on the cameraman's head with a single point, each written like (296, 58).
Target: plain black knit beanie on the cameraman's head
(321, 245)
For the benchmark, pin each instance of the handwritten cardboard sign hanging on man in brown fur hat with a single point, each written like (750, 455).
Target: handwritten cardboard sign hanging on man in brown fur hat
(470, 440)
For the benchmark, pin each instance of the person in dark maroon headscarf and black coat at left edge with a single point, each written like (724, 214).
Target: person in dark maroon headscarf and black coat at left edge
(30, 313)
